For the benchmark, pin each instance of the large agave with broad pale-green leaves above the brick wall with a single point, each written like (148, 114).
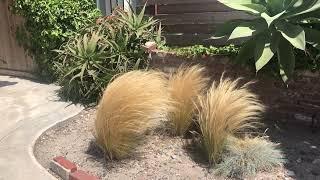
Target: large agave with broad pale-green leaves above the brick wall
(279, 26)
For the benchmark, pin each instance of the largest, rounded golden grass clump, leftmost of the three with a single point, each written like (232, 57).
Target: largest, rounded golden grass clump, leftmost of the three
(130, 105)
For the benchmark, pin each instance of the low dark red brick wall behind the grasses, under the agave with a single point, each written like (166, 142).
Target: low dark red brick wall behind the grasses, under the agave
(279, 98)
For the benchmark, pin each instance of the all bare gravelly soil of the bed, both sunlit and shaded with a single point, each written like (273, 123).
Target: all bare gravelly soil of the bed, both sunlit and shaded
(166, 157)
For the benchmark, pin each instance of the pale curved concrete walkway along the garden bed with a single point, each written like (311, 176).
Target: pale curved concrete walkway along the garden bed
(26, 110)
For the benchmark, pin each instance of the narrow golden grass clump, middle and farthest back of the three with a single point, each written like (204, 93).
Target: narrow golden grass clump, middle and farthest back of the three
(185, 85)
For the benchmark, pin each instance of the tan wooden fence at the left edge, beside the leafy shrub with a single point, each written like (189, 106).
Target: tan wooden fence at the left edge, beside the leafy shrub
(17, 61)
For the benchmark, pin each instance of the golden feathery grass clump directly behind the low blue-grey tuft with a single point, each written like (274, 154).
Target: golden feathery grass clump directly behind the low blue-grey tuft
(225, 110)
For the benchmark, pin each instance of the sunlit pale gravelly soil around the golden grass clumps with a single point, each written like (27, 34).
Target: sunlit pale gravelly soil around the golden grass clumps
(162, 157)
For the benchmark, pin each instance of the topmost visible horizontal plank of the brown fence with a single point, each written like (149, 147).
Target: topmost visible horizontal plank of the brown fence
(192, 8)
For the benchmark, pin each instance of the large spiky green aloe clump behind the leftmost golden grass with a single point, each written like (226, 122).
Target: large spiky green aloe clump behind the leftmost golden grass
(114, 45)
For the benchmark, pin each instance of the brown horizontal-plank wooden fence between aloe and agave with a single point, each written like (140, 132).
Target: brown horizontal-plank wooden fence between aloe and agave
(189, 22)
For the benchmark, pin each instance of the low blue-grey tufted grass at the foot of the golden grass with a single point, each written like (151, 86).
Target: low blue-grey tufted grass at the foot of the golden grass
(248, 156)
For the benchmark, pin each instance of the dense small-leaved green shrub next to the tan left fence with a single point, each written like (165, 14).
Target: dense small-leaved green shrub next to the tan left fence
(48, 24)
